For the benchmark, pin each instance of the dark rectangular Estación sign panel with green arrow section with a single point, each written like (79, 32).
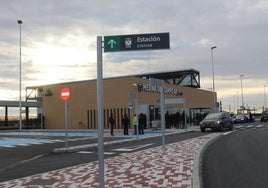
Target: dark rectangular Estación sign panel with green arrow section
(153, 41)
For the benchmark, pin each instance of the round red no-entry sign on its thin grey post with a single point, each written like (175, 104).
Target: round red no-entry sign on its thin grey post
(65, 95)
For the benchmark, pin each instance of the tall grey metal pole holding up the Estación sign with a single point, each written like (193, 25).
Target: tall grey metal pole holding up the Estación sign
(100, 111)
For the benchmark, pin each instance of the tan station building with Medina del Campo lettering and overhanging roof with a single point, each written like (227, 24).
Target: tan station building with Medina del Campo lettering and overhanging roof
(122, 95)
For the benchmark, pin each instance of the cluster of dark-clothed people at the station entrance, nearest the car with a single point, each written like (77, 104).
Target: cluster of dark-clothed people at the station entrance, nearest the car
(176, 120)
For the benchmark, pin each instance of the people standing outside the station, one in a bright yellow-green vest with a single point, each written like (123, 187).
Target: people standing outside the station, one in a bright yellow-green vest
(139, 123)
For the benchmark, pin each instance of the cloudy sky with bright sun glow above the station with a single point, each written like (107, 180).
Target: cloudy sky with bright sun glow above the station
(59, 42)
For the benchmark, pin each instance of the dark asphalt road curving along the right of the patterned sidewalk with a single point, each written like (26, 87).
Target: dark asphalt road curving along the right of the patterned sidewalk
(237, 160)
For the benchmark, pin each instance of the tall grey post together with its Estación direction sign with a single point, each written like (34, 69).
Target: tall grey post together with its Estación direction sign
(153, 41)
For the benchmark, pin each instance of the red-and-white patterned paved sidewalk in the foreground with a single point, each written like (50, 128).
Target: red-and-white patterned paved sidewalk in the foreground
(172, 166)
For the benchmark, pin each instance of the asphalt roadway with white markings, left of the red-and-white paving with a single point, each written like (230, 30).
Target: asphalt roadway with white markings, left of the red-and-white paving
(24, 161)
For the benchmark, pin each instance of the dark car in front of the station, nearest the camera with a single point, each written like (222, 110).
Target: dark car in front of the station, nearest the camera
(217, 121)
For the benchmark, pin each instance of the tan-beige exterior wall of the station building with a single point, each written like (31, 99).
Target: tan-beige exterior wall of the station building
(83, 101)
